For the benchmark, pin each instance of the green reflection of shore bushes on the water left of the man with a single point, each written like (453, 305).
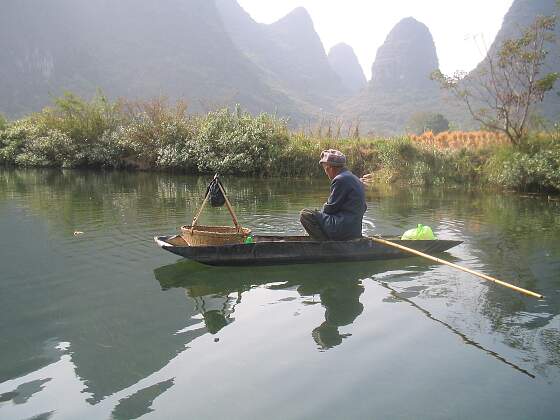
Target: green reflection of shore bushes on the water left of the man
(71, 198)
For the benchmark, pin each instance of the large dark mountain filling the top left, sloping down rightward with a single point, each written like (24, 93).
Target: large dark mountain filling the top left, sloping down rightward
(131, 48)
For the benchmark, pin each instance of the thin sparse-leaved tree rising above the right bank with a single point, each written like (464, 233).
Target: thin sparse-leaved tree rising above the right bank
(502, 94)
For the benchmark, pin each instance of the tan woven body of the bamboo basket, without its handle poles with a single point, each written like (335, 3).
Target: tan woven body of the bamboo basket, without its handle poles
(214, 235)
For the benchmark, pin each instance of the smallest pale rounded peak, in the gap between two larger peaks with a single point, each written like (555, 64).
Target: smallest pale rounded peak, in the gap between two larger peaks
(345, 64)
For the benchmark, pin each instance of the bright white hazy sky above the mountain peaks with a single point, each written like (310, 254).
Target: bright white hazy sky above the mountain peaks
(458, 26)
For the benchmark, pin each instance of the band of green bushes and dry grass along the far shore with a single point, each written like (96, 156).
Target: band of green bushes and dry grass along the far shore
(157, 136)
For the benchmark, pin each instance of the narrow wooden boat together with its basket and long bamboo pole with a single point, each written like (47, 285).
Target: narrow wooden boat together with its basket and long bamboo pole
(234, 246)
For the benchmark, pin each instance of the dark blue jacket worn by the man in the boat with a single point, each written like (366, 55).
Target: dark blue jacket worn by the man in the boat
(342, 214)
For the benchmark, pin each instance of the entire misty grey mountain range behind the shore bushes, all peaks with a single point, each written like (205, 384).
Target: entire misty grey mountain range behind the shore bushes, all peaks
(211, 53)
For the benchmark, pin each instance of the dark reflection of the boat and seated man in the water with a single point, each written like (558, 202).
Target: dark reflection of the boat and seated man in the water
(217, 290)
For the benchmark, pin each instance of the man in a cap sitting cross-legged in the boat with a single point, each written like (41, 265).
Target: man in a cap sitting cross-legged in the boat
(341, 217)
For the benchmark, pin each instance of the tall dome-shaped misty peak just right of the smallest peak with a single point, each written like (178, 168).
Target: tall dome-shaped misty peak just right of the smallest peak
(400, 84)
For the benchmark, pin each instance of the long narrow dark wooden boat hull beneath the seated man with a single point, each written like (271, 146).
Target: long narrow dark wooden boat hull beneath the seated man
(273, 250)
